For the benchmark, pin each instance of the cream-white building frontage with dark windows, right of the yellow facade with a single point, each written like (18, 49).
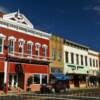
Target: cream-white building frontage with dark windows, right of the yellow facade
(77, 63)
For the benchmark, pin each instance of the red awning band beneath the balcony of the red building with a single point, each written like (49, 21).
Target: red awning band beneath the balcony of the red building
(26, 68)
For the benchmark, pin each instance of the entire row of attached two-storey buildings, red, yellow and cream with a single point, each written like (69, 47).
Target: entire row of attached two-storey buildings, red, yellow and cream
(26, 51)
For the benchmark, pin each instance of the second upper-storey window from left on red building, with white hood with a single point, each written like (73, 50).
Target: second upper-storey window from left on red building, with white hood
(11, 44)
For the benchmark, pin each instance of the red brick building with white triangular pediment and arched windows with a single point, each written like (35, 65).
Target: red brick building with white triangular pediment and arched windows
(24, 52)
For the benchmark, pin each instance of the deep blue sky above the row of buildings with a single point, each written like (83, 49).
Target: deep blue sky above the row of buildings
(76, 20)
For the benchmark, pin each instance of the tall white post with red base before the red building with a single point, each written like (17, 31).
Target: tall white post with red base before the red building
(6, 70)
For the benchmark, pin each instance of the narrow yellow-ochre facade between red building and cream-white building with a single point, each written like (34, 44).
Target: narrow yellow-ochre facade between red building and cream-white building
(56, 53)
